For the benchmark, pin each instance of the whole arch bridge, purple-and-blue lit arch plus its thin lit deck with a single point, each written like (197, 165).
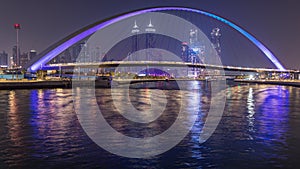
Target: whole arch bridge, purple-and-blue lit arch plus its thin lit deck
(41, 61)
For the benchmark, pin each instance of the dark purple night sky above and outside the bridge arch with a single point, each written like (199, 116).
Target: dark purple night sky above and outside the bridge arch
(44, 22)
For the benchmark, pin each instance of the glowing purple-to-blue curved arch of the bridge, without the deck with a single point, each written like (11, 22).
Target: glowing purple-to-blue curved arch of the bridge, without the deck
(65, 45)
